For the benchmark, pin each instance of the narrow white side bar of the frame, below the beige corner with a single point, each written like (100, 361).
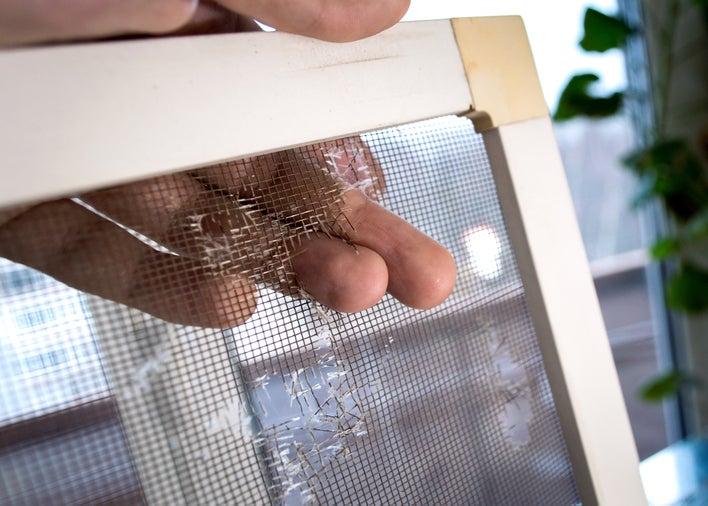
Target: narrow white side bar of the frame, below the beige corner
(541, 223)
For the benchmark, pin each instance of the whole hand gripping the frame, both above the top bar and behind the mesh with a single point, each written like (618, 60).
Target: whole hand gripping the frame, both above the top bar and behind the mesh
(91, 253)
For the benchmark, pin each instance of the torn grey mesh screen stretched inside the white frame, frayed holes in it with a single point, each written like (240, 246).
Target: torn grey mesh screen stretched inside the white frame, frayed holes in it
(103, 403)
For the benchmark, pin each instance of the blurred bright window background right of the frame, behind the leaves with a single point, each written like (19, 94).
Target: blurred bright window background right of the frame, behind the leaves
(658, 351)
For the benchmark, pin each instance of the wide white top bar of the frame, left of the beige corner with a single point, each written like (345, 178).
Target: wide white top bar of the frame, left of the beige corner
(85, 116)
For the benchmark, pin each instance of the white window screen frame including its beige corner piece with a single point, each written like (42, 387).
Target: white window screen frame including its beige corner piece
(73, 110)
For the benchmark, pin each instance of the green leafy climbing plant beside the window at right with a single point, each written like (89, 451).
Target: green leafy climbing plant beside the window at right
(667, 167)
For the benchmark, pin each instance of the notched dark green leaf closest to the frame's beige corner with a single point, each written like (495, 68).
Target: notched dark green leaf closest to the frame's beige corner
(575, 100)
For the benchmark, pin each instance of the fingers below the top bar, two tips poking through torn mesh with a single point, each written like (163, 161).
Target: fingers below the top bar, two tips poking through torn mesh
(277, 219)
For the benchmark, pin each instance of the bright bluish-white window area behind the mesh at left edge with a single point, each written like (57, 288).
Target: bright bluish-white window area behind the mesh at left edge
(47, 352)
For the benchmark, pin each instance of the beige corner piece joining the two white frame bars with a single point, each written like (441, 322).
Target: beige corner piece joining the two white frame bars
(500, 70)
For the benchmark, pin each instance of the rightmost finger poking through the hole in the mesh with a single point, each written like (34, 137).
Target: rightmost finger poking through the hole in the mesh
(421, 273)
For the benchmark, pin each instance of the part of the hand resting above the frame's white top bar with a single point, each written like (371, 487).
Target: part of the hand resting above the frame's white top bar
(32, 21)
